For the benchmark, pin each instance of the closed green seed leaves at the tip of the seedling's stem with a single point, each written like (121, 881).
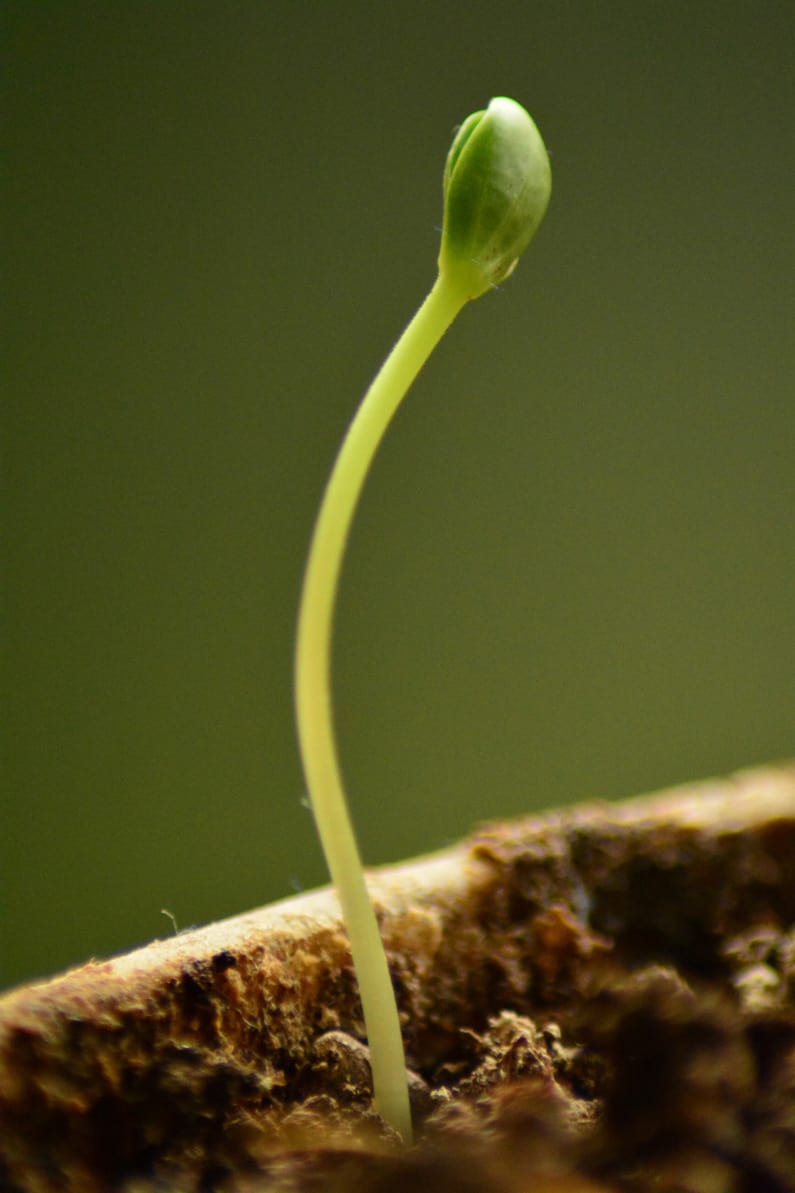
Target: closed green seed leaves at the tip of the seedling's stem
(497, 188)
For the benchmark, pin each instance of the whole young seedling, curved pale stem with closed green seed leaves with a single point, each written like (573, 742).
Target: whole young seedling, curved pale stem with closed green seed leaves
(497, 187)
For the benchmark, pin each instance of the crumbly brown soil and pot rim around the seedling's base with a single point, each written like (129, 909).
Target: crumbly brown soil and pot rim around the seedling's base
(600, 999)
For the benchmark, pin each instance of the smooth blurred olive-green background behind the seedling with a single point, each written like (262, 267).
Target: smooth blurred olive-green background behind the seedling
(574, 573)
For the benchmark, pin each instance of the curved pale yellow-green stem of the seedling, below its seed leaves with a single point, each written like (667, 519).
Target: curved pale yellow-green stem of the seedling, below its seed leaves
(313, 694)
